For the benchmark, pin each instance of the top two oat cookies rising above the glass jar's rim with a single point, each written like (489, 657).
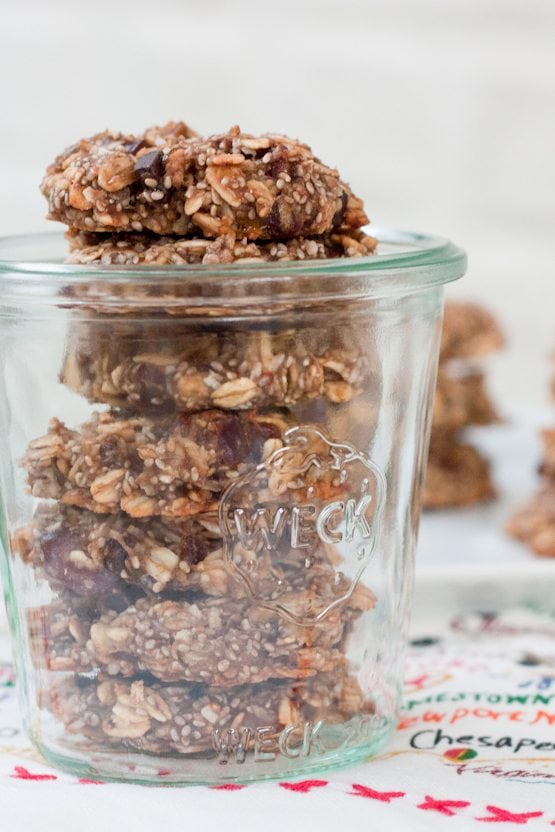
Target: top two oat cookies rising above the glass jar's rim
(173, 197)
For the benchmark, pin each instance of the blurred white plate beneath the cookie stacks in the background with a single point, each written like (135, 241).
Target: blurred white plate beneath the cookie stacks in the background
(465, 561)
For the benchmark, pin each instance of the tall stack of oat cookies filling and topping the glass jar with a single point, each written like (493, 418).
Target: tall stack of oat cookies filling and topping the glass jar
(154, 642)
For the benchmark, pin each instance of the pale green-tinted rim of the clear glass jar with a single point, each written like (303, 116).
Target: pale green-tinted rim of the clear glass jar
(405, 261)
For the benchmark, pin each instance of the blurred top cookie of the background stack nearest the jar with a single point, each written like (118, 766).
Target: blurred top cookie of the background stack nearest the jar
(469, 331)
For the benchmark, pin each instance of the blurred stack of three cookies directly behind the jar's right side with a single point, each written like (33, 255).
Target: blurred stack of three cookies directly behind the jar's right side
(458, 474)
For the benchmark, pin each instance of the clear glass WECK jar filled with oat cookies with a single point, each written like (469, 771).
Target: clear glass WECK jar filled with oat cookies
(211, 482)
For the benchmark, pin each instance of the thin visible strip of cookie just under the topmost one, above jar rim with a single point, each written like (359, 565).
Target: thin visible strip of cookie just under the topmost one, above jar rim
(149, 250)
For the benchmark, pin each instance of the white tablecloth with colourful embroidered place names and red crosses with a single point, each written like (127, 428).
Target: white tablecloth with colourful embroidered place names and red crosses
(475, 745)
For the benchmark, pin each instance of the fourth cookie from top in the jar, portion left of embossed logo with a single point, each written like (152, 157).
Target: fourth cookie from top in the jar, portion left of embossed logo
(174, 466)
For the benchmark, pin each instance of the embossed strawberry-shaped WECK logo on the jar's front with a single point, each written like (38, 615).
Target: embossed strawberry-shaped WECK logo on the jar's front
(301, 527)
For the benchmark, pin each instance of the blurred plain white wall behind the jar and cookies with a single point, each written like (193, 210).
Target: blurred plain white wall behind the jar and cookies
(441, 114)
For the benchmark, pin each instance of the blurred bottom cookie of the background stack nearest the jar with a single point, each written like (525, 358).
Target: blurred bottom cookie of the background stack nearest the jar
(457, 475)
